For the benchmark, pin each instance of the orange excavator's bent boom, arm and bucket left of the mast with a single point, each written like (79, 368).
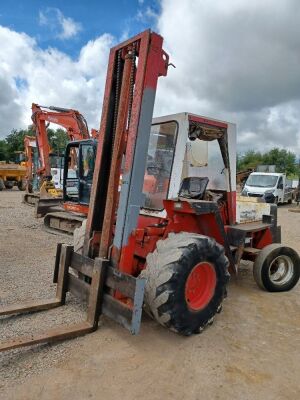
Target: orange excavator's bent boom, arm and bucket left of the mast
(76, 129)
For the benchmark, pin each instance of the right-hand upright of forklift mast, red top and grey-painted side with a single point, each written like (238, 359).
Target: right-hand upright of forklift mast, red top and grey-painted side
(152, 63)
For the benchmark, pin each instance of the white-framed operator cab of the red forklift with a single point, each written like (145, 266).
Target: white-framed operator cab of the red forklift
(190, 157)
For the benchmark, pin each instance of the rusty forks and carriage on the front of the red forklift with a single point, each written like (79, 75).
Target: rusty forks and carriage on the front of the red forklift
(98, 294)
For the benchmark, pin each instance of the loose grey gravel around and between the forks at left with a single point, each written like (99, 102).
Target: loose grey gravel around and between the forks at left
(26, 265)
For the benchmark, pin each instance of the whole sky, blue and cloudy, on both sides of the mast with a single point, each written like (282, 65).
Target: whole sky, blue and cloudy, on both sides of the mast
(235, 60)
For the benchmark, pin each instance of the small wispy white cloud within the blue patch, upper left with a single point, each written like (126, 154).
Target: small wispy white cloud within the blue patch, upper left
(54, 19)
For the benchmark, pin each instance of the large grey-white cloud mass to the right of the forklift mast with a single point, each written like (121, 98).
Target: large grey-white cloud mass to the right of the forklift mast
(236, 60)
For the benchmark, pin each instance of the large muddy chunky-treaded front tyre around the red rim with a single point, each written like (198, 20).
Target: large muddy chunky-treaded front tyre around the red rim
(167, 271)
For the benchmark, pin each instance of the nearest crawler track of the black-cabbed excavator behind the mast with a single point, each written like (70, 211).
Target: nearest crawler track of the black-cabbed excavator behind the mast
(63, 222)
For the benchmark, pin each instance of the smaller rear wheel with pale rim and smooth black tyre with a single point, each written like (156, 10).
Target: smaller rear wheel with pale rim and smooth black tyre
(270, 261)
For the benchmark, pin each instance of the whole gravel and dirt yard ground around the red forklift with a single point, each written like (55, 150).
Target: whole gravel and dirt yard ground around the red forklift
(252, 351)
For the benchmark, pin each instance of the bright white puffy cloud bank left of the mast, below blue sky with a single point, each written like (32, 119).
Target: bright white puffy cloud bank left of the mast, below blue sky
(49, 77)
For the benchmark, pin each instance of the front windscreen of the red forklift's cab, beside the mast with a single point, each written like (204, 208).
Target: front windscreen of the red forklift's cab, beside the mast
(159, 164)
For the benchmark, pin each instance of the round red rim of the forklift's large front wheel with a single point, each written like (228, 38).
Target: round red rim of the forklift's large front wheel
(200, 286)
